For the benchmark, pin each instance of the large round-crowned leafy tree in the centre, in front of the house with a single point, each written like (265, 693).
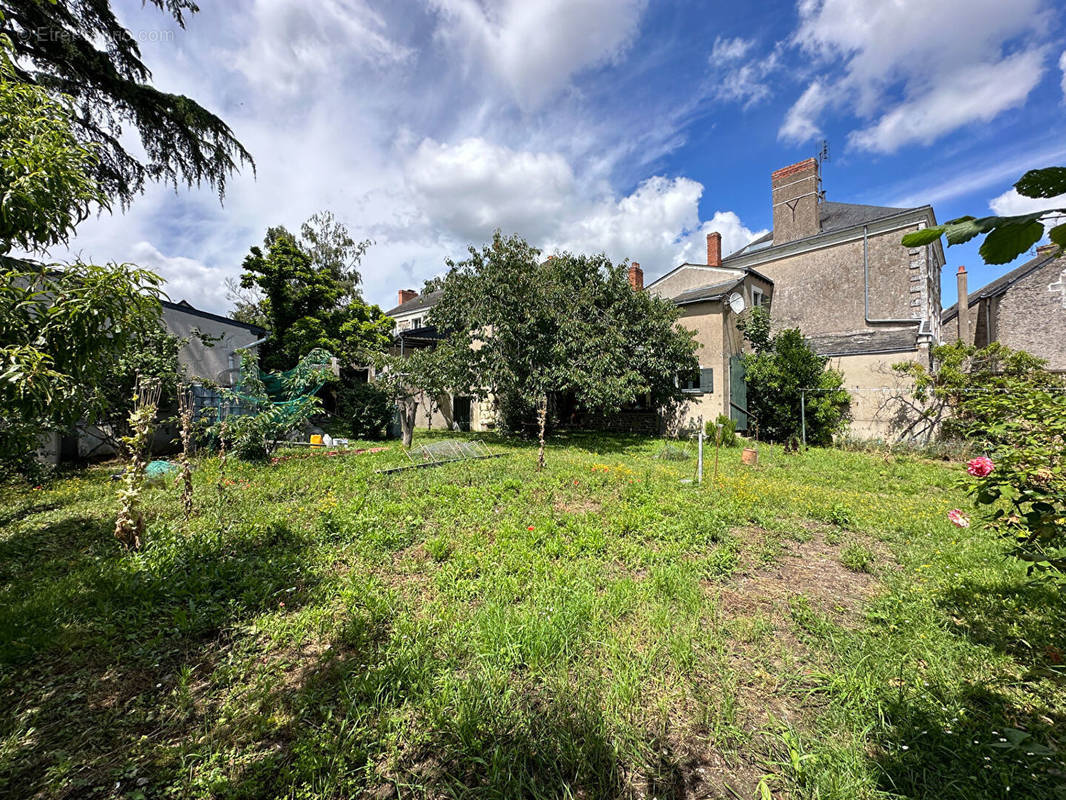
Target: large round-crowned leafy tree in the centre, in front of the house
(526, 330)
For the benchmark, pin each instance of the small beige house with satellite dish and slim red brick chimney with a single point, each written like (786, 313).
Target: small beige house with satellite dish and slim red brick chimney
(712, 298)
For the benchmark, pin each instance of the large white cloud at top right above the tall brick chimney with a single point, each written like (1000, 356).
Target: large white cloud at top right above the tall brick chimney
(898, 65)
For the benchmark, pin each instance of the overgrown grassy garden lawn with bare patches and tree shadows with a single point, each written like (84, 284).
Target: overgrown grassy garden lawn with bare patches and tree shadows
(812, 627)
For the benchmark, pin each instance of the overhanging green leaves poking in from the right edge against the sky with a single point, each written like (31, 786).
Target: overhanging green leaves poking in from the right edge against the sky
(1008, 237)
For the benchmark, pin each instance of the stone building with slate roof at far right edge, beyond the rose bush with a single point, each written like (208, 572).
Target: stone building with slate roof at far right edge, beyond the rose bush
(1024, 310)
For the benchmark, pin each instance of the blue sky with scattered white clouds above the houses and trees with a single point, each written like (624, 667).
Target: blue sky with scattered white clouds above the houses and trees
(631, 127)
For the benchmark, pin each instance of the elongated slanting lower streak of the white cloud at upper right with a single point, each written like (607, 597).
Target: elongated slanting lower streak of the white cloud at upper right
(976, 94)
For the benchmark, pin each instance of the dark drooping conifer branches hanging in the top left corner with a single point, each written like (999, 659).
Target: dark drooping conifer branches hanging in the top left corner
(79, 50)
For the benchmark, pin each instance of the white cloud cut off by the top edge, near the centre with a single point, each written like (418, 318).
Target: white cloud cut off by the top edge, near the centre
(537, 46)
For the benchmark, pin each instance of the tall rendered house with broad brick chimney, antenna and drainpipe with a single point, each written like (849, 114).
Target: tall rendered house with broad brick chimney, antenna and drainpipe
(841, 275)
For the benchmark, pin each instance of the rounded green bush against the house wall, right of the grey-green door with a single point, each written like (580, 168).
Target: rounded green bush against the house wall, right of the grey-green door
(781, 366)
